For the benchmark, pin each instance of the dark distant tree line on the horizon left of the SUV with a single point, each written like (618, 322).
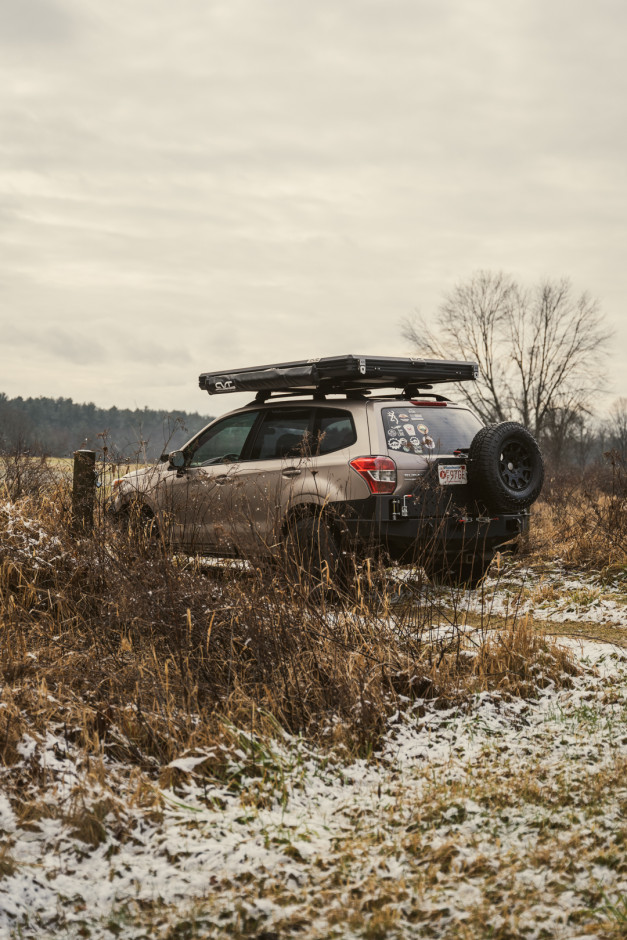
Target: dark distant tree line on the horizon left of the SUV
(58, 426)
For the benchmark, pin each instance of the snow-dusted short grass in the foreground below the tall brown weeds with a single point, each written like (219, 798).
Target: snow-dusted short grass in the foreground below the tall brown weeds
(502, 818)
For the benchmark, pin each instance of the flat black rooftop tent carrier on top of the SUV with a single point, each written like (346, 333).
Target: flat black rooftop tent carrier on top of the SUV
(340, 374)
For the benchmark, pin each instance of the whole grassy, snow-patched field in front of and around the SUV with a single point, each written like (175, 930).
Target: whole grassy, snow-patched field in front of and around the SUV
(193, 750)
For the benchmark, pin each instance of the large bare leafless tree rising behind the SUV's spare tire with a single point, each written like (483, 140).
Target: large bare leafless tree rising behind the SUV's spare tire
(539, 350)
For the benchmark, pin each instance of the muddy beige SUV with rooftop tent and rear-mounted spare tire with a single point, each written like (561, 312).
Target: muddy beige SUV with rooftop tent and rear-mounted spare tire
(323, 463)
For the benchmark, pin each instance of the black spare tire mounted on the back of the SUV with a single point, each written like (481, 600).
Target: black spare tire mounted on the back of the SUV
(505, 467)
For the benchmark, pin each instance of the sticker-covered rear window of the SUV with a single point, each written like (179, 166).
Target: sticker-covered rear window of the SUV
(428, 430)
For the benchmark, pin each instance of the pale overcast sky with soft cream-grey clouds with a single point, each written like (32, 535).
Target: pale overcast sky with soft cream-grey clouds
(205, 184)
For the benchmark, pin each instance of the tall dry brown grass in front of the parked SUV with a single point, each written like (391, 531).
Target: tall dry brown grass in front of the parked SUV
(143, 654)
